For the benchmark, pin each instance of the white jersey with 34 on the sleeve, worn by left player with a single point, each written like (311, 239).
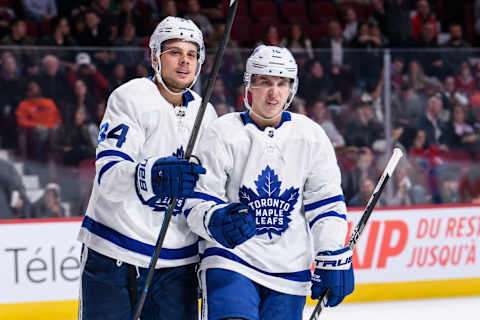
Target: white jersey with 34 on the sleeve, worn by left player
(139, 123)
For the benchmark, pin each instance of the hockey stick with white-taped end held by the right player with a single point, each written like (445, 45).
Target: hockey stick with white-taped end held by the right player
(387, 173)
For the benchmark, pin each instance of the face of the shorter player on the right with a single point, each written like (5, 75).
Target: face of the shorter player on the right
(269, 95)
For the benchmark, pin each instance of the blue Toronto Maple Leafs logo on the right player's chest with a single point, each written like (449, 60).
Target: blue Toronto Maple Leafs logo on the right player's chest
(272, 208)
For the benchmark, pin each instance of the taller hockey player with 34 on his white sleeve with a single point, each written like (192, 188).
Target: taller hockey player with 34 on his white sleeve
(143, 135)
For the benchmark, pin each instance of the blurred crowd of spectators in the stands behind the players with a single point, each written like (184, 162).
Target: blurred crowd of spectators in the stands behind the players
(54, 84)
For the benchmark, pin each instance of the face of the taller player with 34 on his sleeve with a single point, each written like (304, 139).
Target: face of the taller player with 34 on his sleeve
(179, 64)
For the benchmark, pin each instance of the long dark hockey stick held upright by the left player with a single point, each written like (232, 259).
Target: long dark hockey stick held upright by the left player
(191, 143)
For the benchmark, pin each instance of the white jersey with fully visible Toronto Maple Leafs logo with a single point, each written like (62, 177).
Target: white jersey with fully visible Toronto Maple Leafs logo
(290, 177)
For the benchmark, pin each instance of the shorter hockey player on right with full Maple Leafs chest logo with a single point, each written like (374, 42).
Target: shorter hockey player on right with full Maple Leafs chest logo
(270, 204)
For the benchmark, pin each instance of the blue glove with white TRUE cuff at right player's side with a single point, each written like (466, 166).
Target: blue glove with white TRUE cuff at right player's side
(334, 271)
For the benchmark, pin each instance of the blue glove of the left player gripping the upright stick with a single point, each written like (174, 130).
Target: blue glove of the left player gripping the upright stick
(167, 177)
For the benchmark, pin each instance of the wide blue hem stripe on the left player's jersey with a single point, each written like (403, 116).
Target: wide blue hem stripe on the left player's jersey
(125, 242)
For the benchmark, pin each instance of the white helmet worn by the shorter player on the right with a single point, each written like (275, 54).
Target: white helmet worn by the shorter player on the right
(271, 61)
